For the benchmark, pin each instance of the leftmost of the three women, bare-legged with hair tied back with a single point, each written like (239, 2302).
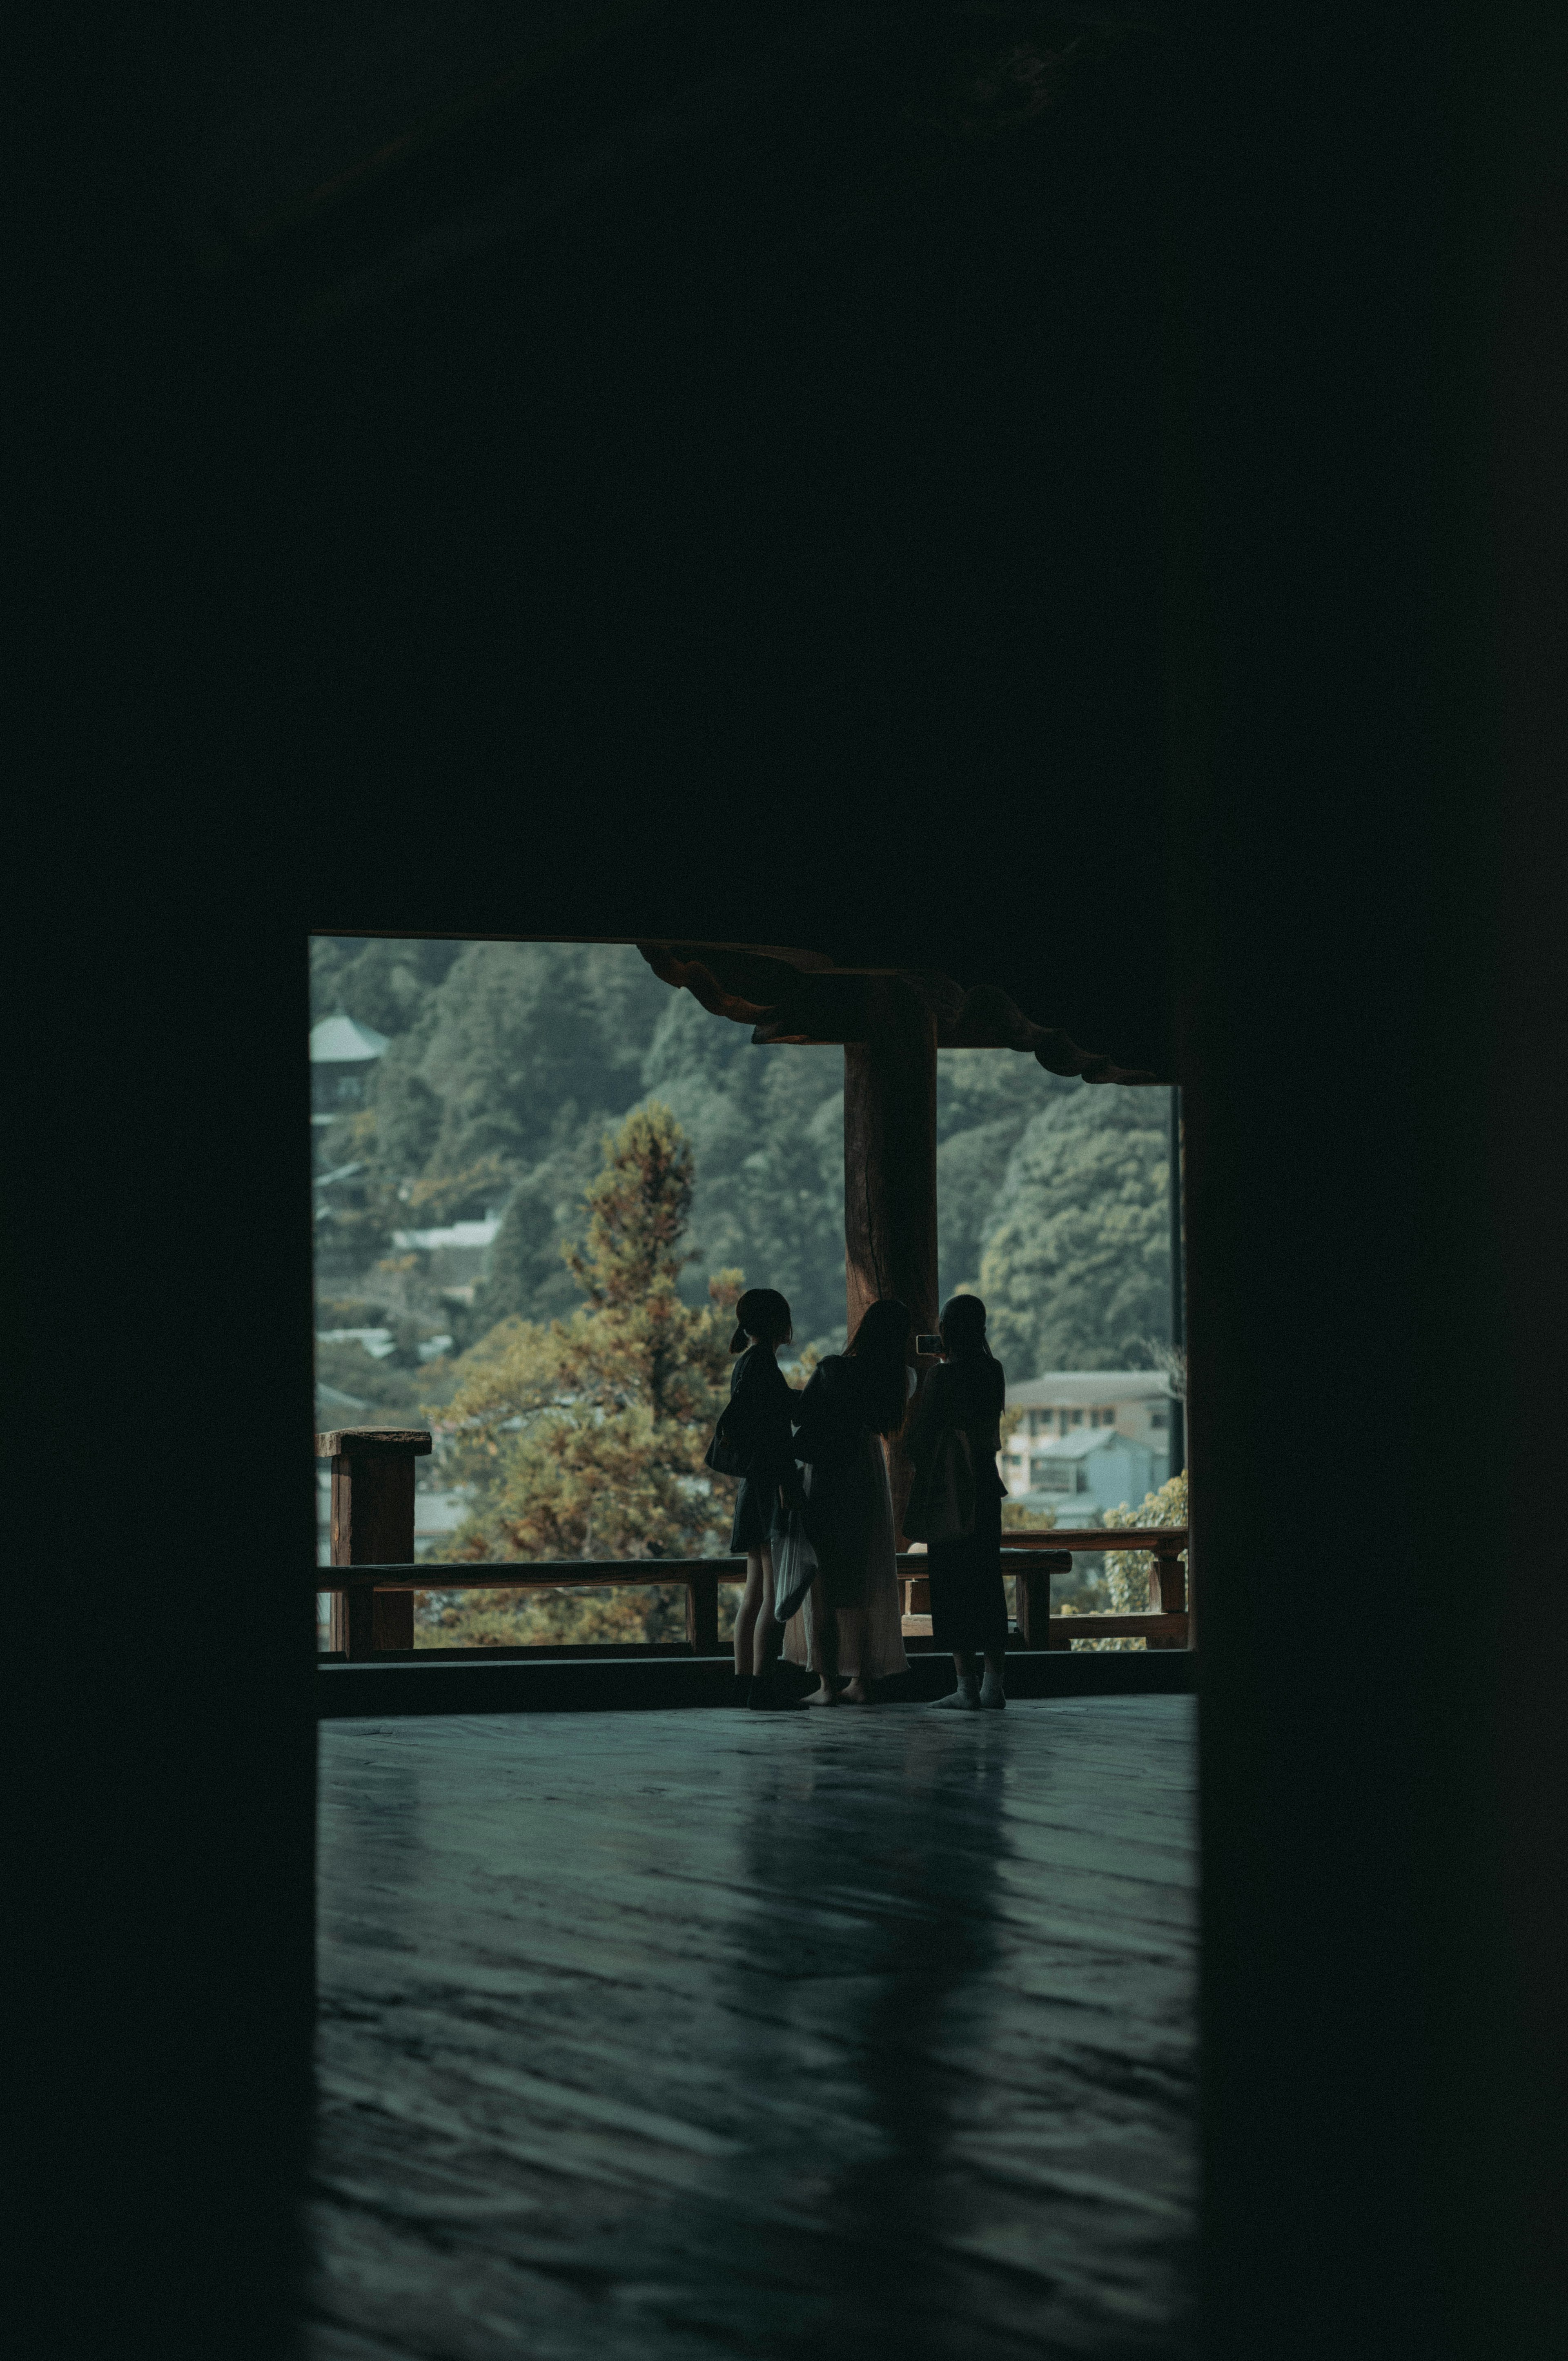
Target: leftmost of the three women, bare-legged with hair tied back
(762, 1411)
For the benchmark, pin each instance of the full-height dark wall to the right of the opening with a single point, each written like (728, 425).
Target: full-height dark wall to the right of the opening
(1368, 627)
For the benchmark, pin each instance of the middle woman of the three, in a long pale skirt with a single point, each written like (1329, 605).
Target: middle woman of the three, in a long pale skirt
(851, 1621)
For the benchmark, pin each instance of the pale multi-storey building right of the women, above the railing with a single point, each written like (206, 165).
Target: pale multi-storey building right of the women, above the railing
(1090, 1441)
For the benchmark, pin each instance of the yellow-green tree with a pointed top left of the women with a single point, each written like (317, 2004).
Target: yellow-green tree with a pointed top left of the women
(584, 1439)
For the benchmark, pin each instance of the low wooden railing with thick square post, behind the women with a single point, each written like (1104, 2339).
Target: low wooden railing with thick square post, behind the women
(374, 1578)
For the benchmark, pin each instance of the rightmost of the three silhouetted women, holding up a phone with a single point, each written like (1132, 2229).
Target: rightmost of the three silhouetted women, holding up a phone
(965, 1399)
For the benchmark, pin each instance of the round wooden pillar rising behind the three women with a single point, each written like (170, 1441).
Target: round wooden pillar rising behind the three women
(891, 1170)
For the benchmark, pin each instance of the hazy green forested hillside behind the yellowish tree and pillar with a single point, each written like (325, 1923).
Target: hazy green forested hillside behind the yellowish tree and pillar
(509, 1061)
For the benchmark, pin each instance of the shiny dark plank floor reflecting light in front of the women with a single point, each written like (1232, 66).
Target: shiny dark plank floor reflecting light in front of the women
(698, 2034)
